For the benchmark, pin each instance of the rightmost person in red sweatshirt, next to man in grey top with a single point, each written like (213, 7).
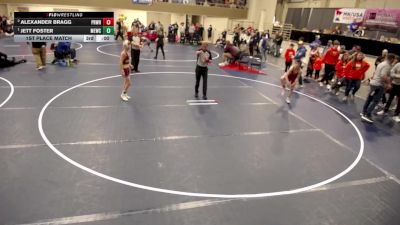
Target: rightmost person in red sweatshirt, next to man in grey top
(355, 73)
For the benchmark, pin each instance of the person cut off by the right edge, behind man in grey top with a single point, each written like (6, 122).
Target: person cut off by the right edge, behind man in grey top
(394, 92)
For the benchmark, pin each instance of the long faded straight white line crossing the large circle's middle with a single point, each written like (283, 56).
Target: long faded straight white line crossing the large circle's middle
(165, 138)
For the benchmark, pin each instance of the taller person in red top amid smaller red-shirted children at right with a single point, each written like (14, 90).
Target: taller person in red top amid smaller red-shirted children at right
(330, 59)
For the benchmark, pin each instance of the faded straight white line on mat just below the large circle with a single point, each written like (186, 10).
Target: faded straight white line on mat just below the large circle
(185, 205)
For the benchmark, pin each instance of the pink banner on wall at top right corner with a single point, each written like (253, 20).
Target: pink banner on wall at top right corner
(382, 19)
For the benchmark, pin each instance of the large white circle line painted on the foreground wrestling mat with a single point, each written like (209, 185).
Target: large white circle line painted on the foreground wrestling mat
(194, 194)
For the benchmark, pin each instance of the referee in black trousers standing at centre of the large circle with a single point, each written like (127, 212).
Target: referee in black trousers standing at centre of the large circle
(203, 59)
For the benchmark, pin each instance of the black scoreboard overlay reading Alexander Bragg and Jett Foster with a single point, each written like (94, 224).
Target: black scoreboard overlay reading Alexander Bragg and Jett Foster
(64, 26)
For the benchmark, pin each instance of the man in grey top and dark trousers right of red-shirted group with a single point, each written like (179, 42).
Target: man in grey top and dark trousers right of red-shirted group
(377, 89)
